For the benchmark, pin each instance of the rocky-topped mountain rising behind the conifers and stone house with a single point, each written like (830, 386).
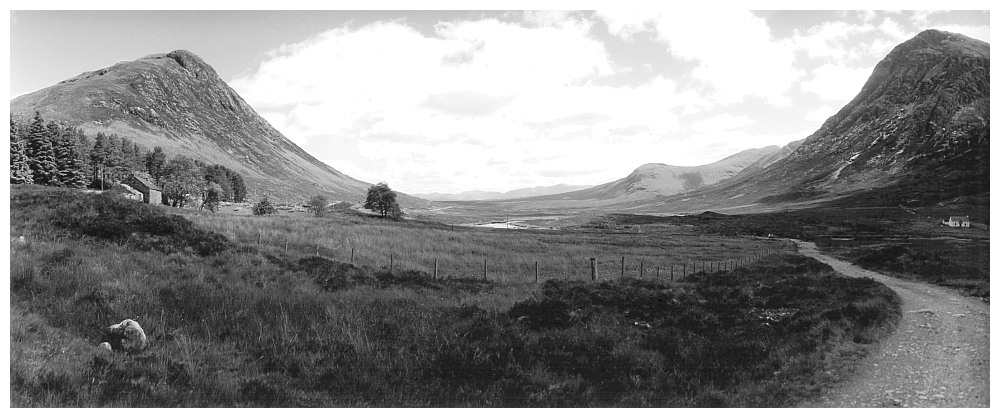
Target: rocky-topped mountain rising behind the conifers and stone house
(178, 102)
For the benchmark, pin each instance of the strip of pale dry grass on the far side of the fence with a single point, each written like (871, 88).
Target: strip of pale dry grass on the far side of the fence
(510, 255)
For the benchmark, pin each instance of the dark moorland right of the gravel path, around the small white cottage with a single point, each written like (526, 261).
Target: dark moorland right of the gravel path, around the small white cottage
(903, 242)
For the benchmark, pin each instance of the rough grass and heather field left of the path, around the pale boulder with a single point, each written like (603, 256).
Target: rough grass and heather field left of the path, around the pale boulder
(235, 323)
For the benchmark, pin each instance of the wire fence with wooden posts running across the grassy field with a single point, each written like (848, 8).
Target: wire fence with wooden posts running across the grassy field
(522, 270)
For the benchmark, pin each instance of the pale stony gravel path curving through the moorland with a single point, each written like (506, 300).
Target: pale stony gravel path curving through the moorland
(938, 357)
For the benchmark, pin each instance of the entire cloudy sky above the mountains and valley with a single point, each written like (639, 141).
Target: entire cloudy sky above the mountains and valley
(450, 101)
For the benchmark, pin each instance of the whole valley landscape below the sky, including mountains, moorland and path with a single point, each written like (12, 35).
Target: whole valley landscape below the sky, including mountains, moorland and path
(774, 277)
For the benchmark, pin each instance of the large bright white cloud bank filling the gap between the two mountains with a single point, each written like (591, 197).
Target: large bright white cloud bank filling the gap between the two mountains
(526, 97)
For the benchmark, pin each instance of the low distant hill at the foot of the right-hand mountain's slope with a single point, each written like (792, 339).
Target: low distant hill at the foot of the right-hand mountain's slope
(657, 180)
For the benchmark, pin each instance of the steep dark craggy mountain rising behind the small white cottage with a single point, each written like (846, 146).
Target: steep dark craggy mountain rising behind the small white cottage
(916, 133)
